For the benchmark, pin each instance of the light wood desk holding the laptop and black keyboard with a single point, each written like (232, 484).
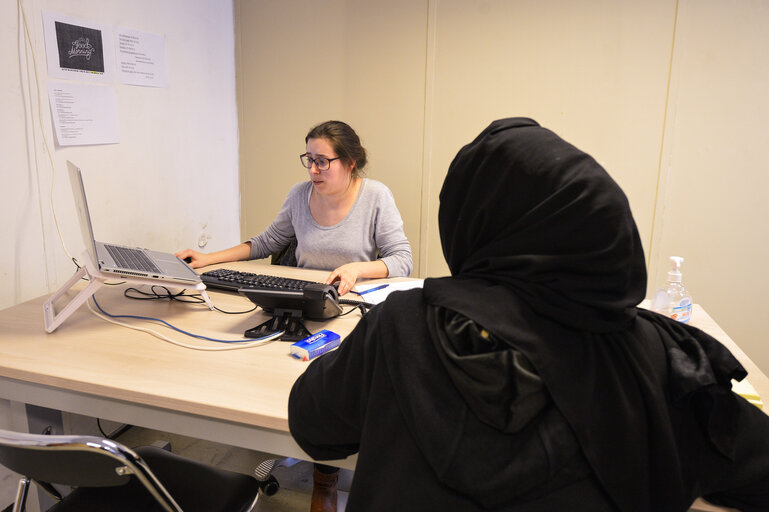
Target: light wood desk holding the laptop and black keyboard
(90, 367)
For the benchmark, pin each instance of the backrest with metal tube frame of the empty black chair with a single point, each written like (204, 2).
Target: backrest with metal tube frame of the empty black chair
(79, 461)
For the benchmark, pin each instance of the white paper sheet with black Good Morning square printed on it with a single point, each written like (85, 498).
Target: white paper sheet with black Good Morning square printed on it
(78, 50)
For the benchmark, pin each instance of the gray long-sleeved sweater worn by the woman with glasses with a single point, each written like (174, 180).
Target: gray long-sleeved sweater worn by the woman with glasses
(372, 225)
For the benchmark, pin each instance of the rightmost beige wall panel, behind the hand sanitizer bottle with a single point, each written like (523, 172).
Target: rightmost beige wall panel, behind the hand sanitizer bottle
(713, 201)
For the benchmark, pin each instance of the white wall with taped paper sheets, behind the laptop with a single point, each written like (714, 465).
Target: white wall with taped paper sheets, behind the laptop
(181, 141)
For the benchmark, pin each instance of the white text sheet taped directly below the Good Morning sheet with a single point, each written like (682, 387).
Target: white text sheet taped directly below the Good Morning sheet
(84, 114)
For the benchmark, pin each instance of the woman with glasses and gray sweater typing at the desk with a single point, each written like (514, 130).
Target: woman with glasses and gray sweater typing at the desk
(339, 220)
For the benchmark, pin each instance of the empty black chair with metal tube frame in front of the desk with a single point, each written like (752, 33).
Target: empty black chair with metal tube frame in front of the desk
(109, 476)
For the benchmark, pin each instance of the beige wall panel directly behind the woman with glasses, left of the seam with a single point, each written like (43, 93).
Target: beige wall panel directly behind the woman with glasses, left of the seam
(303, 62)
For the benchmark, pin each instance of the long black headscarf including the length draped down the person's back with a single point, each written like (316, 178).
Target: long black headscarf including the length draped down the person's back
(544, 253)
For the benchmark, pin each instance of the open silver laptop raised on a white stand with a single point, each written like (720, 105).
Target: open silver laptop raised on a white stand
(119, 259)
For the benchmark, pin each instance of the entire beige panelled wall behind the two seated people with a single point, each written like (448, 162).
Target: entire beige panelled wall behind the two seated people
(668, 95)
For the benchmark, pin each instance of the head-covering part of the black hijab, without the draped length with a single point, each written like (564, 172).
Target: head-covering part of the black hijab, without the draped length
(524, 208)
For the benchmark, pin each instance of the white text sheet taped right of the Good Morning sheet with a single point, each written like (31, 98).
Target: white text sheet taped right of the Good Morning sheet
(141, 58)
